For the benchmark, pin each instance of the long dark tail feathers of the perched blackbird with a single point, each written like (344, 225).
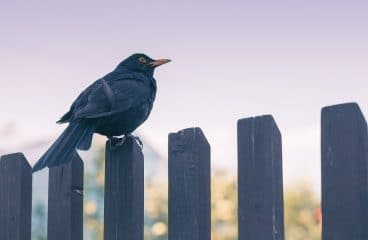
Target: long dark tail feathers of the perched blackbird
(78, 135)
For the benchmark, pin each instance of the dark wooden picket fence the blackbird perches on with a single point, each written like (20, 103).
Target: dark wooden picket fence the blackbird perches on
(260, 187)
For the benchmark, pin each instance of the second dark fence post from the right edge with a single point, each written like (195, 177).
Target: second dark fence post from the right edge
(260, 189)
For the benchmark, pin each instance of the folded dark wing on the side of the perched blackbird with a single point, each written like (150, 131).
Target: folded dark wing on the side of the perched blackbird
(113, 96)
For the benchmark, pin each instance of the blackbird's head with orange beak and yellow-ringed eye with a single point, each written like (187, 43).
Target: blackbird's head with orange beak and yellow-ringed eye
(142, 63)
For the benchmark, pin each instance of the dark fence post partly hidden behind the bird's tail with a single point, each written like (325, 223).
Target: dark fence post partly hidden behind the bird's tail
(65, 205)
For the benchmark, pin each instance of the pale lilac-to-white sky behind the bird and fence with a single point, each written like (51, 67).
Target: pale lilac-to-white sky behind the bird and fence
(231, 60)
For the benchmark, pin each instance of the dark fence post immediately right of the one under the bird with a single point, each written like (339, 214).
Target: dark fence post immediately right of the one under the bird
(189, 186)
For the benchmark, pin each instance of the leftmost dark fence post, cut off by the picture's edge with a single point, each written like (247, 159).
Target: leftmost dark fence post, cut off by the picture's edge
(15, 197)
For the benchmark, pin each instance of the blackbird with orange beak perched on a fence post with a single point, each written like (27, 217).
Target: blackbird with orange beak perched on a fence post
(114, 105)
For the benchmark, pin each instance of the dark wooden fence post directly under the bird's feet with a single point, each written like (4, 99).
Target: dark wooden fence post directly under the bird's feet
(124, 192)
